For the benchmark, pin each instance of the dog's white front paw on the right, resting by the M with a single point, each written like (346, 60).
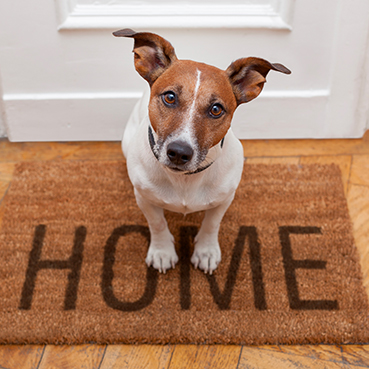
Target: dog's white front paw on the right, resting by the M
(206, 257)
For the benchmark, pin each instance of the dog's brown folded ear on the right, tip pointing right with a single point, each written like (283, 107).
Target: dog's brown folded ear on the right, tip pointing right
(247, 77)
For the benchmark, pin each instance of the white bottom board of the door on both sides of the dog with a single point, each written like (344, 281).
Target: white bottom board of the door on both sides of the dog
(102, 116)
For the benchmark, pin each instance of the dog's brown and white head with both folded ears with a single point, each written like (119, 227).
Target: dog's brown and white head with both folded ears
(192, 104)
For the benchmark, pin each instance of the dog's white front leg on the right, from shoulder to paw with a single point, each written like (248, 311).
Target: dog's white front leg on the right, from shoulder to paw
(207, 253)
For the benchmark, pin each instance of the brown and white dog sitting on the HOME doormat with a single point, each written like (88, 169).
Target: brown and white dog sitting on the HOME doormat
(180, 150)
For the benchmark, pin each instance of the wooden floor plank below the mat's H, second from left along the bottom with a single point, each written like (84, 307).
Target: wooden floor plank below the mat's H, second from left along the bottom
(76, 357)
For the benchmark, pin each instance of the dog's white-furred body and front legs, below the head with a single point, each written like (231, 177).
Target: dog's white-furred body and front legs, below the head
(157, 187)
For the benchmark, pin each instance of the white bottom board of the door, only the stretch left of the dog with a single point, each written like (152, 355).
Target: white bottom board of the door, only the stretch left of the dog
(68, 117)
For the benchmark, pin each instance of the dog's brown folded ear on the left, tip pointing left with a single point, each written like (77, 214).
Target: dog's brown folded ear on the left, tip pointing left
(153, 54)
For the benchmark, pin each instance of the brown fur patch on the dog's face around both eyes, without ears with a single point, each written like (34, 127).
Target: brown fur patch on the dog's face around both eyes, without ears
(214, 95)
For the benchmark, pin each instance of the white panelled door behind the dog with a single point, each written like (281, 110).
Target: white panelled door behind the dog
(65, 77)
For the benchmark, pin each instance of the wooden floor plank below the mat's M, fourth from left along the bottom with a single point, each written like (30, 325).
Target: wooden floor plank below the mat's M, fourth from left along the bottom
(205, 356)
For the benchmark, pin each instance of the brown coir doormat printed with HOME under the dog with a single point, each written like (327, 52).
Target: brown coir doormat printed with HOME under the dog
(73, 244)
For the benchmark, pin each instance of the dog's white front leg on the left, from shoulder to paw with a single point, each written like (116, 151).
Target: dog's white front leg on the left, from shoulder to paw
(161, 254)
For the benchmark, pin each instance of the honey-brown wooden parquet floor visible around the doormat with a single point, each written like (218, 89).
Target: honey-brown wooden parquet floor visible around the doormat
(353, 158)
